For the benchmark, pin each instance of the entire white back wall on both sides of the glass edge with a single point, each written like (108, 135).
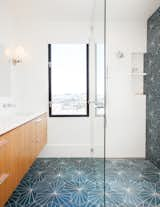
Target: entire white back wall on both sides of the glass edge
(74, 136)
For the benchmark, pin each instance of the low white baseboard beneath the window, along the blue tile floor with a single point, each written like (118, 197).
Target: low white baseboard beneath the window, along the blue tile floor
(71, 151)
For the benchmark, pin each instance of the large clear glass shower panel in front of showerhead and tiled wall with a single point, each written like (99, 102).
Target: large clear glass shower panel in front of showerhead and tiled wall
(132, 132)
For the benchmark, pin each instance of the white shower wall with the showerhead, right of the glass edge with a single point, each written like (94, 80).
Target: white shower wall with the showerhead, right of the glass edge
(126, 111)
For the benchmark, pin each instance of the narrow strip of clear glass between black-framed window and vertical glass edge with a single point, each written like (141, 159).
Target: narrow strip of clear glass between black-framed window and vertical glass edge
(96, 100)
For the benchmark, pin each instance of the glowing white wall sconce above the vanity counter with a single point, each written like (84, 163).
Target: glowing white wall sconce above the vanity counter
(16, 56)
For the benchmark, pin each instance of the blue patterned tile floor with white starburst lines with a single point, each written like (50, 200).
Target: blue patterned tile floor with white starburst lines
(80, 183)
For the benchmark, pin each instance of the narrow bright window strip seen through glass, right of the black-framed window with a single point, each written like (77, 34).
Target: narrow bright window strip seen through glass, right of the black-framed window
(99, 79)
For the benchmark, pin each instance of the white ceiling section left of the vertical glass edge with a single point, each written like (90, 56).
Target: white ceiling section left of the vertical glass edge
(57, 10)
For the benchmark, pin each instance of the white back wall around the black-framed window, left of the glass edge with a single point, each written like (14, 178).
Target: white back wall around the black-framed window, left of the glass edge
(66, 136)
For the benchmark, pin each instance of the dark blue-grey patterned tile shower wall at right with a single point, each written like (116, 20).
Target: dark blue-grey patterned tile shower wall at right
(152, 89)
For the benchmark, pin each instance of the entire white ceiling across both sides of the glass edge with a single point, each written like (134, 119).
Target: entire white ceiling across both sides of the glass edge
(82, 10)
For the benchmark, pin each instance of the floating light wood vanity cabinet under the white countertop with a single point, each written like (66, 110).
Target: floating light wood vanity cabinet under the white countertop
(18, 150)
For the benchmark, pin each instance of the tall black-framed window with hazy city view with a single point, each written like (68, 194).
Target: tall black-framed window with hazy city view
(68, 80)
